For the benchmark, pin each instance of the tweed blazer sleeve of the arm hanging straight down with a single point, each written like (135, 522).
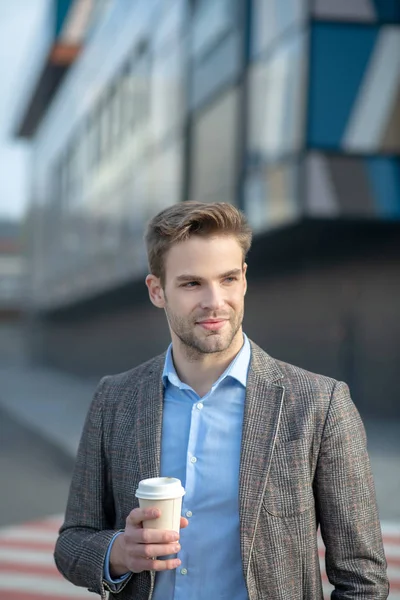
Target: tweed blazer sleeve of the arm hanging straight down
(346, 505)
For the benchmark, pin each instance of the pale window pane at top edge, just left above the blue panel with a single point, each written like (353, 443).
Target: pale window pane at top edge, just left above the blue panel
(270, 18)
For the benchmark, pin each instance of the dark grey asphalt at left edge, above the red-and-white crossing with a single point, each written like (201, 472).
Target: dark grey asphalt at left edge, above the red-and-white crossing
(34, 476)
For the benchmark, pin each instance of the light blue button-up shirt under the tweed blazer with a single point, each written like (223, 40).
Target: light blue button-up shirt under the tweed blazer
(200, 445)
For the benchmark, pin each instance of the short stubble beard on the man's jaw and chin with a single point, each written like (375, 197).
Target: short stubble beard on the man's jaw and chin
(211, 342)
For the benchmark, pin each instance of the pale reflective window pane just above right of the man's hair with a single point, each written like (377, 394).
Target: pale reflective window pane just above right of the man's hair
(271, 196)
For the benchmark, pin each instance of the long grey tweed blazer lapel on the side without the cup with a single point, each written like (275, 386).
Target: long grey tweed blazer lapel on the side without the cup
(264, 401)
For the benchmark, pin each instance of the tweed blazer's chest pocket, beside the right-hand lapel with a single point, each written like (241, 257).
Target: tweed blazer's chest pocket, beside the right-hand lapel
(289, 487)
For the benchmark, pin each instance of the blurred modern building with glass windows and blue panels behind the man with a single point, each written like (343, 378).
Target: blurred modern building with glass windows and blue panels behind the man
(289, 110)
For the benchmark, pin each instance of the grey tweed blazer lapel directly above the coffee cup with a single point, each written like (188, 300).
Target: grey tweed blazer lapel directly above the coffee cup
(148, 425)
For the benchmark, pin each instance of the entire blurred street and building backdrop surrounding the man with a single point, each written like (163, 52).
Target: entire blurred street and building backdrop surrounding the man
(114, 109)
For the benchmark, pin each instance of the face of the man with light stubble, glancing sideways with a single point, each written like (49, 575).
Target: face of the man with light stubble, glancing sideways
(205, 284)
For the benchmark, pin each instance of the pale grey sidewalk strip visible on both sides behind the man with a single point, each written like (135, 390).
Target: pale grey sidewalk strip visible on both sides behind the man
(54, 405)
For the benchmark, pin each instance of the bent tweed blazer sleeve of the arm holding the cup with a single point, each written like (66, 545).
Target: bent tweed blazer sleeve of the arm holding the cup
(87, 530)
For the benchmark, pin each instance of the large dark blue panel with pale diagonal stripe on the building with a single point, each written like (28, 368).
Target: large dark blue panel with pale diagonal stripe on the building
(354, 97)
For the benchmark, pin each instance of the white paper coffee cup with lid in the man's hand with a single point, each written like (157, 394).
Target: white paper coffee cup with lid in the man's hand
(164, 493)
